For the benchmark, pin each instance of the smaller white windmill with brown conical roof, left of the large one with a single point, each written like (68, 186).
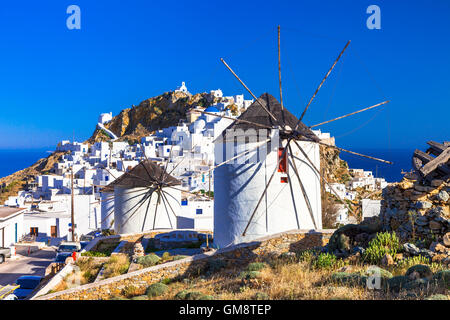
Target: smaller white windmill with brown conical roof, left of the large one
(147, 197)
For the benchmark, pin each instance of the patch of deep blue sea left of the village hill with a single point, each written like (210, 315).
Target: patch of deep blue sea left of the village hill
(12, 160)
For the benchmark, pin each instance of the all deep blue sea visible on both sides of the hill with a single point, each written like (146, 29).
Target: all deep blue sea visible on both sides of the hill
(14, 160)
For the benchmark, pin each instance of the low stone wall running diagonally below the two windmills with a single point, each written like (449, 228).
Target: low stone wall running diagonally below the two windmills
(239, 254)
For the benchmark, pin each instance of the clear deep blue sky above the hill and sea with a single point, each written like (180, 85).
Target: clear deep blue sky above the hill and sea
(55, 81)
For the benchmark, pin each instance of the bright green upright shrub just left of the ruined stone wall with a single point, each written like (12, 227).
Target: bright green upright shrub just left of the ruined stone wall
(383, 243)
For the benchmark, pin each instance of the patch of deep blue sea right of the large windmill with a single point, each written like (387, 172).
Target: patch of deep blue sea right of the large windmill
(401, 158)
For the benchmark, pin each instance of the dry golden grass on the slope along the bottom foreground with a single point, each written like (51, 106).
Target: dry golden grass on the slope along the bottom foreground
(283, 281)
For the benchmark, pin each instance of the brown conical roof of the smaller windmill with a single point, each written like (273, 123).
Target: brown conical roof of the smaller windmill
(145, 174)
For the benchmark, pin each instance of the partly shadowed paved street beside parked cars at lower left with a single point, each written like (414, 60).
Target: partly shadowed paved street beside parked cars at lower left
(34, 264)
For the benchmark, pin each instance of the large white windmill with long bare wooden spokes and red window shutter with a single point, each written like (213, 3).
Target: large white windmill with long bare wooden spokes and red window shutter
(247, 202)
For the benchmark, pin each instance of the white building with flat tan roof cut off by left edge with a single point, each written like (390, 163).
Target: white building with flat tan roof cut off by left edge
(11, 225)
